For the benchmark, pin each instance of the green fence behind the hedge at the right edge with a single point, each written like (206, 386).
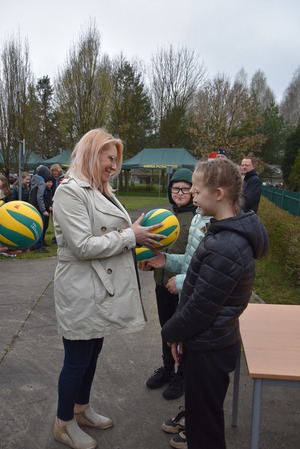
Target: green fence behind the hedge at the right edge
(289, 201)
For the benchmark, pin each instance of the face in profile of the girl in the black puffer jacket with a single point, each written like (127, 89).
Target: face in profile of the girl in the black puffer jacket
(203, 197)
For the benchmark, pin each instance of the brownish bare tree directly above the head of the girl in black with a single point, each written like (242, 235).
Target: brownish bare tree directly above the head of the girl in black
(225, 115)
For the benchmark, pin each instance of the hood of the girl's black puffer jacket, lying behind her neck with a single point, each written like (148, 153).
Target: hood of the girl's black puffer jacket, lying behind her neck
(250, 227)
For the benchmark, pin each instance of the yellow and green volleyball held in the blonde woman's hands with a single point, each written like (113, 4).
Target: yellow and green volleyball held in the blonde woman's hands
(170, 226)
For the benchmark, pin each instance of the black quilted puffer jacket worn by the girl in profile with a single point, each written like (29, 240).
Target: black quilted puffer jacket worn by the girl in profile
(218, 284)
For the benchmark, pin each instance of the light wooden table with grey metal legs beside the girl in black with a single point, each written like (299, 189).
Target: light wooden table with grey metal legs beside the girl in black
(271, 342)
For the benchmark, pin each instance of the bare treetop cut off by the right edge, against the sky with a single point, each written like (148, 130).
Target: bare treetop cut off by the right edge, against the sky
(290, 105)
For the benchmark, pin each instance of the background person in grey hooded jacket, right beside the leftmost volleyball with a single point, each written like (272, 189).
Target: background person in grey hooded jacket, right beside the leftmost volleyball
(37, 199)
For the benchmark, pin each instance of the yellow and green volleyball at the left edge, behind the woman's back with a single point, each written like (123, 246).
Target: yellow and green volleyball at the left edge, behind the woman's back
(21, 225)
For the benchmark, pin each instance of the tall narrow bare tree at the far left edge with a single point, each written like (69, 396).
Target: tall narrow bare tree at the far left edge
(17, 101)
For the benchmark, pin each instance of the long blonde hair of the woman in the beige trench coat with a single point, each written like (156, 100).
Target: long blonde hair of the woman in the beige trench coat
(85, 160)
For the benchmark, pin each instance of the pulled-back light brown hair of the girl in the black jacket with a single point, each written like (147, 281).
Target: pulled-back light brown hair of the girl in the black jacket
(222, 173)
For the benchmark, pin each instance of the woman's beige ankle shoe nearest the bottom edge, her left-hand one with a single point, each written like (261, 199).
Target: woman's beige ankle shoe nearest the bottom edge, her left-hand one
(73, 436)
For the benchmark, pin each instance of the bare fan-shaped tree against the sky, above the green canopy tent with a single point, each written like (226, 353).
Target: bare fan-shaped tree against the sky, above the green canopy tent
(176, 76)
